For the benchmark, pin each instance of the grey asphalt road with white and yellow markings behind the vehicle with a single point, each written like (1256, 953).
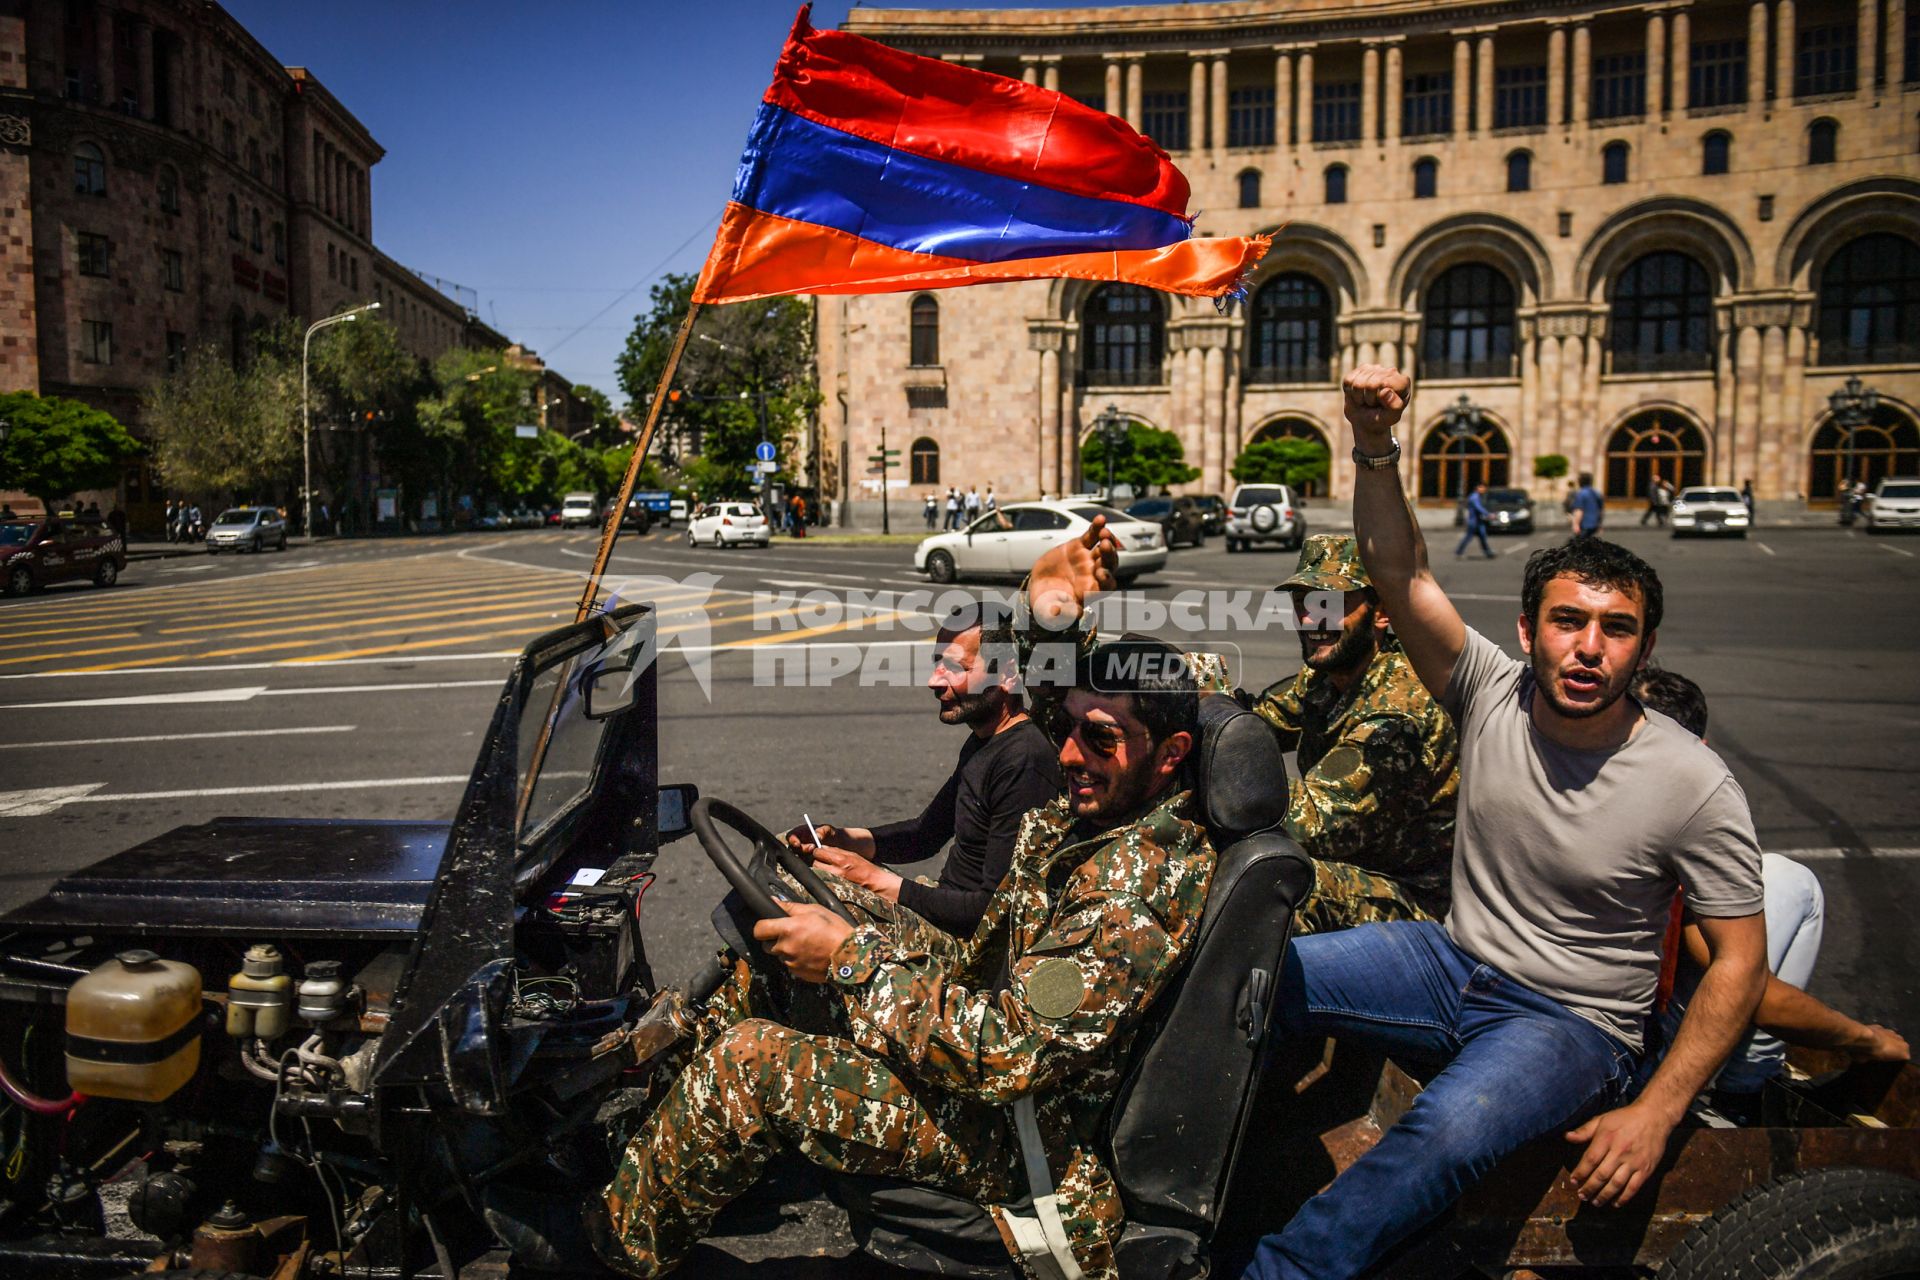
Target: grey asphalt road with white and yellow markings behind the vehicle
(352, 680)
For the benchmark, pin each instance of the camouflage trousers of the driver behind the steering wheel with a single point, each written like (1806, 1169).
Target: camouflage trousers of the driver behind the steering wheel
(756, 1087)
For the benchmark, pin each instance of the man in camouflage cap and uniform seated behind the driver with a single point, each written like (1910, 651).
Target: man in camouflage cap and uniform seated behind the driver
(1374, 803)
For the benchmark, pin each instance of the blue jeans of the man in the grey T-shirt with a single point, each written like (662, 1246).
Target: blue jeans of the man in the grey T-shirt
(1518, 1066)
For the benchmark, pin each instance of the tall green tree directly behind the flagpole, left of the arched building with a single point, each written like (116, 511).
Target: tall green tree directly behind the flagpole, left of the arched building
(748, 375)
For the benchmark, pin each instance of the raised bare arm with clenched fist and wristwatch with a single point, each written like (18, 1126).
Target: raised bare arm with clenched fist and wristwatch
(1391, 542)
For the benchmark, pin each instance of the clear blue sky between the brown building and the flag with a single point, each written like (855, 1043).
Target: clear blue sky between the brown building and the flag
(548, 156)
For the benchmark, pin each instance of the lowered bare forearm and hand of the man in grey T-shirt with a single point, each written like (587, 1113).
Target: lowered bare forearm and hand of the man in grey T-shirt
(1623, 1147)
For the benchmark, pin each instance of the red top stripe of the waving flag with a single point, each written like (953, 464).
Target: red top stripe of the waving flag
(971, 118)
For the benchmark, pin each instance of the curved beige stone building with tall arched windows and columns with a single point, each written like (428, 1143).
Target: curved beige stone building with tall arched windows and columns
(1652, 239)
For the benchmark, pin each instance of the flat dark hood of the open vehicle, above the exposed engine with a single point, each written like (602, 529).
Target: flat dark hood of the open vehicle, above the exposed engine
(285, 878)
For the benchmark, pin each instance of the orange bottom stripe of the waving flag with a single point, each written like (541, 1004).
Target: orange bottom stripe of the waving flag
(763, 256)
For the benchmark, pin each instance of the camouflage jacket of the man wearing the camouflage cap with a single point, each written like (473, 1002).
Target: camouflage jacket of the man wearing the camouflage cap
(1380, 770)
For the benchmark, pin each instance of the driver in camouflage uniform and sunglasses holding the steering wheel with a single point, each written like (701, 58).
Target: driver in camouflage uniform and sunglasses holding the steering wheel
(913, 1055)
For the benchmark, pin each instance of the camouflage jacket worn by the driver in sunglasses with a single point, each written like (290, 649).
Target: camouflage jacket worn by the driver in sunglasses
(1047, 997)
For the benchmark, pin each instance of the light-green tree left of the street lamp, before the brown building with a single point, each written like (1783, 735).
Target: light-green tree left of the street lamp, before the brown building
(224, 431)
